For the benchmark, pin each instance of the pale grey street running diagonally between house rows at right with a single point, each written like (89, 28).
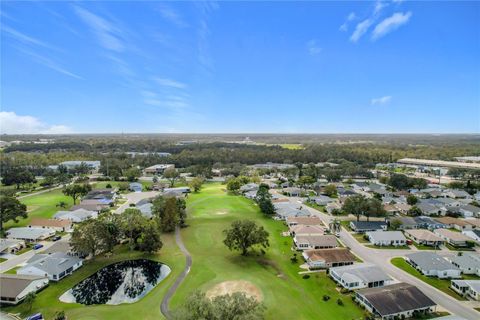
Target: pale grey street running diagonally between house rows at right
(382, 257)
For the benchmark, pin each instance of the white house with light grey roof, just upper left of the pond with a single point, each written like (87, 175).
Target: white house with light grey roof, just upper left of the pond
(55, 266)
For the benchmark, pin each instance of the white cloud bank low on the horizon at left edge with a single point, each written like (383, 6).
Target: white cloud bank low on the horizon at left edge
(11, 123)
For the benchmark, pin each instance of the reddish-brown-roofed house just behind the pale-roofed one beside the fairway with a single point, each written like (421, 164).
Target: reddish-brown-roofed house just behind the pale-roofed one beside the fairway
(327, 258)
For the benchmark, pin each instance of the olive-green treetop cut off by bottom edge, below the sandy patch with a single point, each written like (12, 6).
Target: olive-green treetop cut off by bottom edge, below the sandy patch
(236, 306)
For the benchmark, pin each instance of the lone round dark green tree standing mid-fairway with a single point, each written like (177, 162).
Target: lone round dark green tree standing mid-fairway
(245, 234)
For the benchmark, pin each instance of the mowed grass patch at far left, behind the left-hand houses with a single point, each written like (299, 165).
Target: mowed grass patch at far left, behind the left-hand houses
(41, 206)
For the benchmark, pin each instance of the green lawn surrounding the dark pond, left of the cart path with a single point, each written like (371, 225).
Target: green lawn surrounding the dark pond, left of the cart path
(147, 308)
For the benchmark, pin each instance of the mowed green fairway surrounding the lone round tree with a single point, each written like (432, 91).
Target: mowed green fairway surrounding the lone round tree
(285, 293)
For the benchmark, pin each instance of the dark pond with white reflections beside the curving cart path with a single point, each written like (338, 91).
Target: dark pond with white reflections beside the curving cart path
(123, 282)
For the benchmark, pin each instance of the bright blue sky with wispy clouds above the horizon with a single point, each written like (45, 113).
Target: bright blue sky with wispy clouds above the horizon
(304, 67)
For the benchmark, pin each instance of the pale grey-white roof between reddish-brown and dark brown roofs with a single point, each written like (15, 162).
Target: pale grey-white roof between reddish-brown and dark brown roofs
(363, 272)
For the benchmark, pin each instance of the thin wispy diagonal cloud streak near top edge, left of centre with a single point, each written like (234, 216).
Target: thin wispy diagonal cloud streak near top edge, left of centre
(107, 34)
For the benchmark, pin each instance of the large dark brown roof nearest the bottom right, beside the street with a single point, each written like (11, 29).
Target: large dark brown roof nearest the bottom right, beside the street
(396, 298)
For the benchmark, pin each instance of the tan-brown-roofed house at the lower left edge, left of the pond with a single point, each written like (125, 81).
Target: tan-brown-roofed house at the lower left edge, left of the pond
(14, 288)
